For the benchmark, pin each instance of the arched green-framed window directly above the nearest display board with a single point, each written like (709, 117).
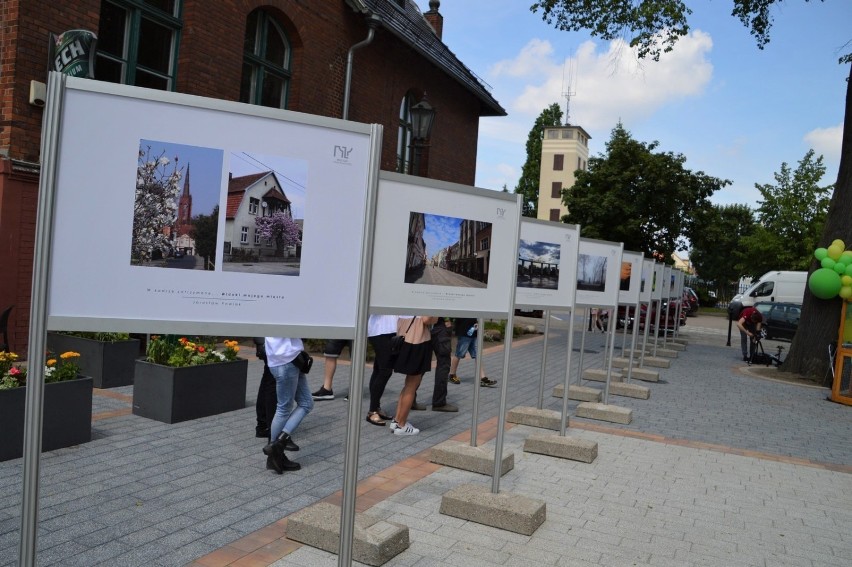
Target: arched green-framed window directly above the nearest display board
(266, 62)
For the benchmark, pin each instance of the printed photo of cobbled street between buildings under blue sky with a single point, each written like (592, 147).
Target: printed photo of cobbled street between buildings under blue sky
(459, 248)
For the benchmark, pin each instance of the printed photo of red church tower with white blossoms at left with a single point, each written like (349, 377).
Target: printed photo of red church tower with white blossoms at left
(175, 216)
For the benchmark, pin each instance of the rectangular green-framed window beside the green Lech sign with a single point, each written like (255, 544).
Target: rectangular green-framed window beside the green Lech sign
(138, 42)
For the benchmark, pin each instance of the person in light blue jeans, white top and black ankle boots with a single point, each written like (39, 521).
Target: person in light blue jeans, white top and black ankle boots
(291, 387)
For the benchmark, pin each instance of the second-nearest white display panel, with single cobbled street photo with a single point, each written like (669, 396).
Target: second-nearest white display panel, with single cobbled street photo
(442, 248)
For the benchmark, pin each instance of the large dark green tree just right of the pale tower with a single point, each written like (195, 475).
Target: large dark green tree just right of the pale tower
(636, 196)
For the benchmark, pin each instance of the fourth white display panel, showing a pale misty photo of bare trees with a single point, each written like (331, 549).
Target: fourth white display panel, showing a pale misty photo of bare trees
(598, 272)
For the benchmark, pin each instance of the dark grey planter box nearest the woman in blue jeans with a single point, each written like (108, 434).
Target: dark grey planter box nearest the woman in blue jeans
(171, 395)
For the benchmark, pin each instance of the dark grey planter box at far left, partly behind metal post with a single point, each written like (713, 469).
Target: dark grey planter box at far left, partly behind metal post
(66, 419)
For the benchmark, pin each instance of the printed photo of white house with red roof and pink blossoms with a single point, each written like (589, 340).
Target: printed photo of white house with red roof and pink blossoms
(264, 220)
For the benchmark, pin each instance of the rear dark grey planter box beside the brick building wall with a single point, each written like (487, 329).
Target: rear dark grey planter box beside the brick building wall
(110, 364)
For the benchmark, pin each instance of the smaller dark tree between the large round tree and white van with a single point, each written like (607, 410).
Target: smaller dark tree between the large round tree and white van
(716, 234)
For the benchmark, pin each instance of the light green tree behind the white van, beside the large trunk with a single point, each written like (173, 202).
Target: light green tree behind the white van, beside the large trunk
(790, 219)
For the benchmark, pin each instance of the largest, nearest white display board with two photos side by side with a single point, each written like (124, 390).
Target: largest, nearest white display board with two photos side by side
(130, 155)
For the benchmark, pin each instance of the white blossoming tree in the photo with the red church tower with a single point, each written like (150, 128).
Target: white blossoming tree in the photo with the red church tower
(154, 208)
